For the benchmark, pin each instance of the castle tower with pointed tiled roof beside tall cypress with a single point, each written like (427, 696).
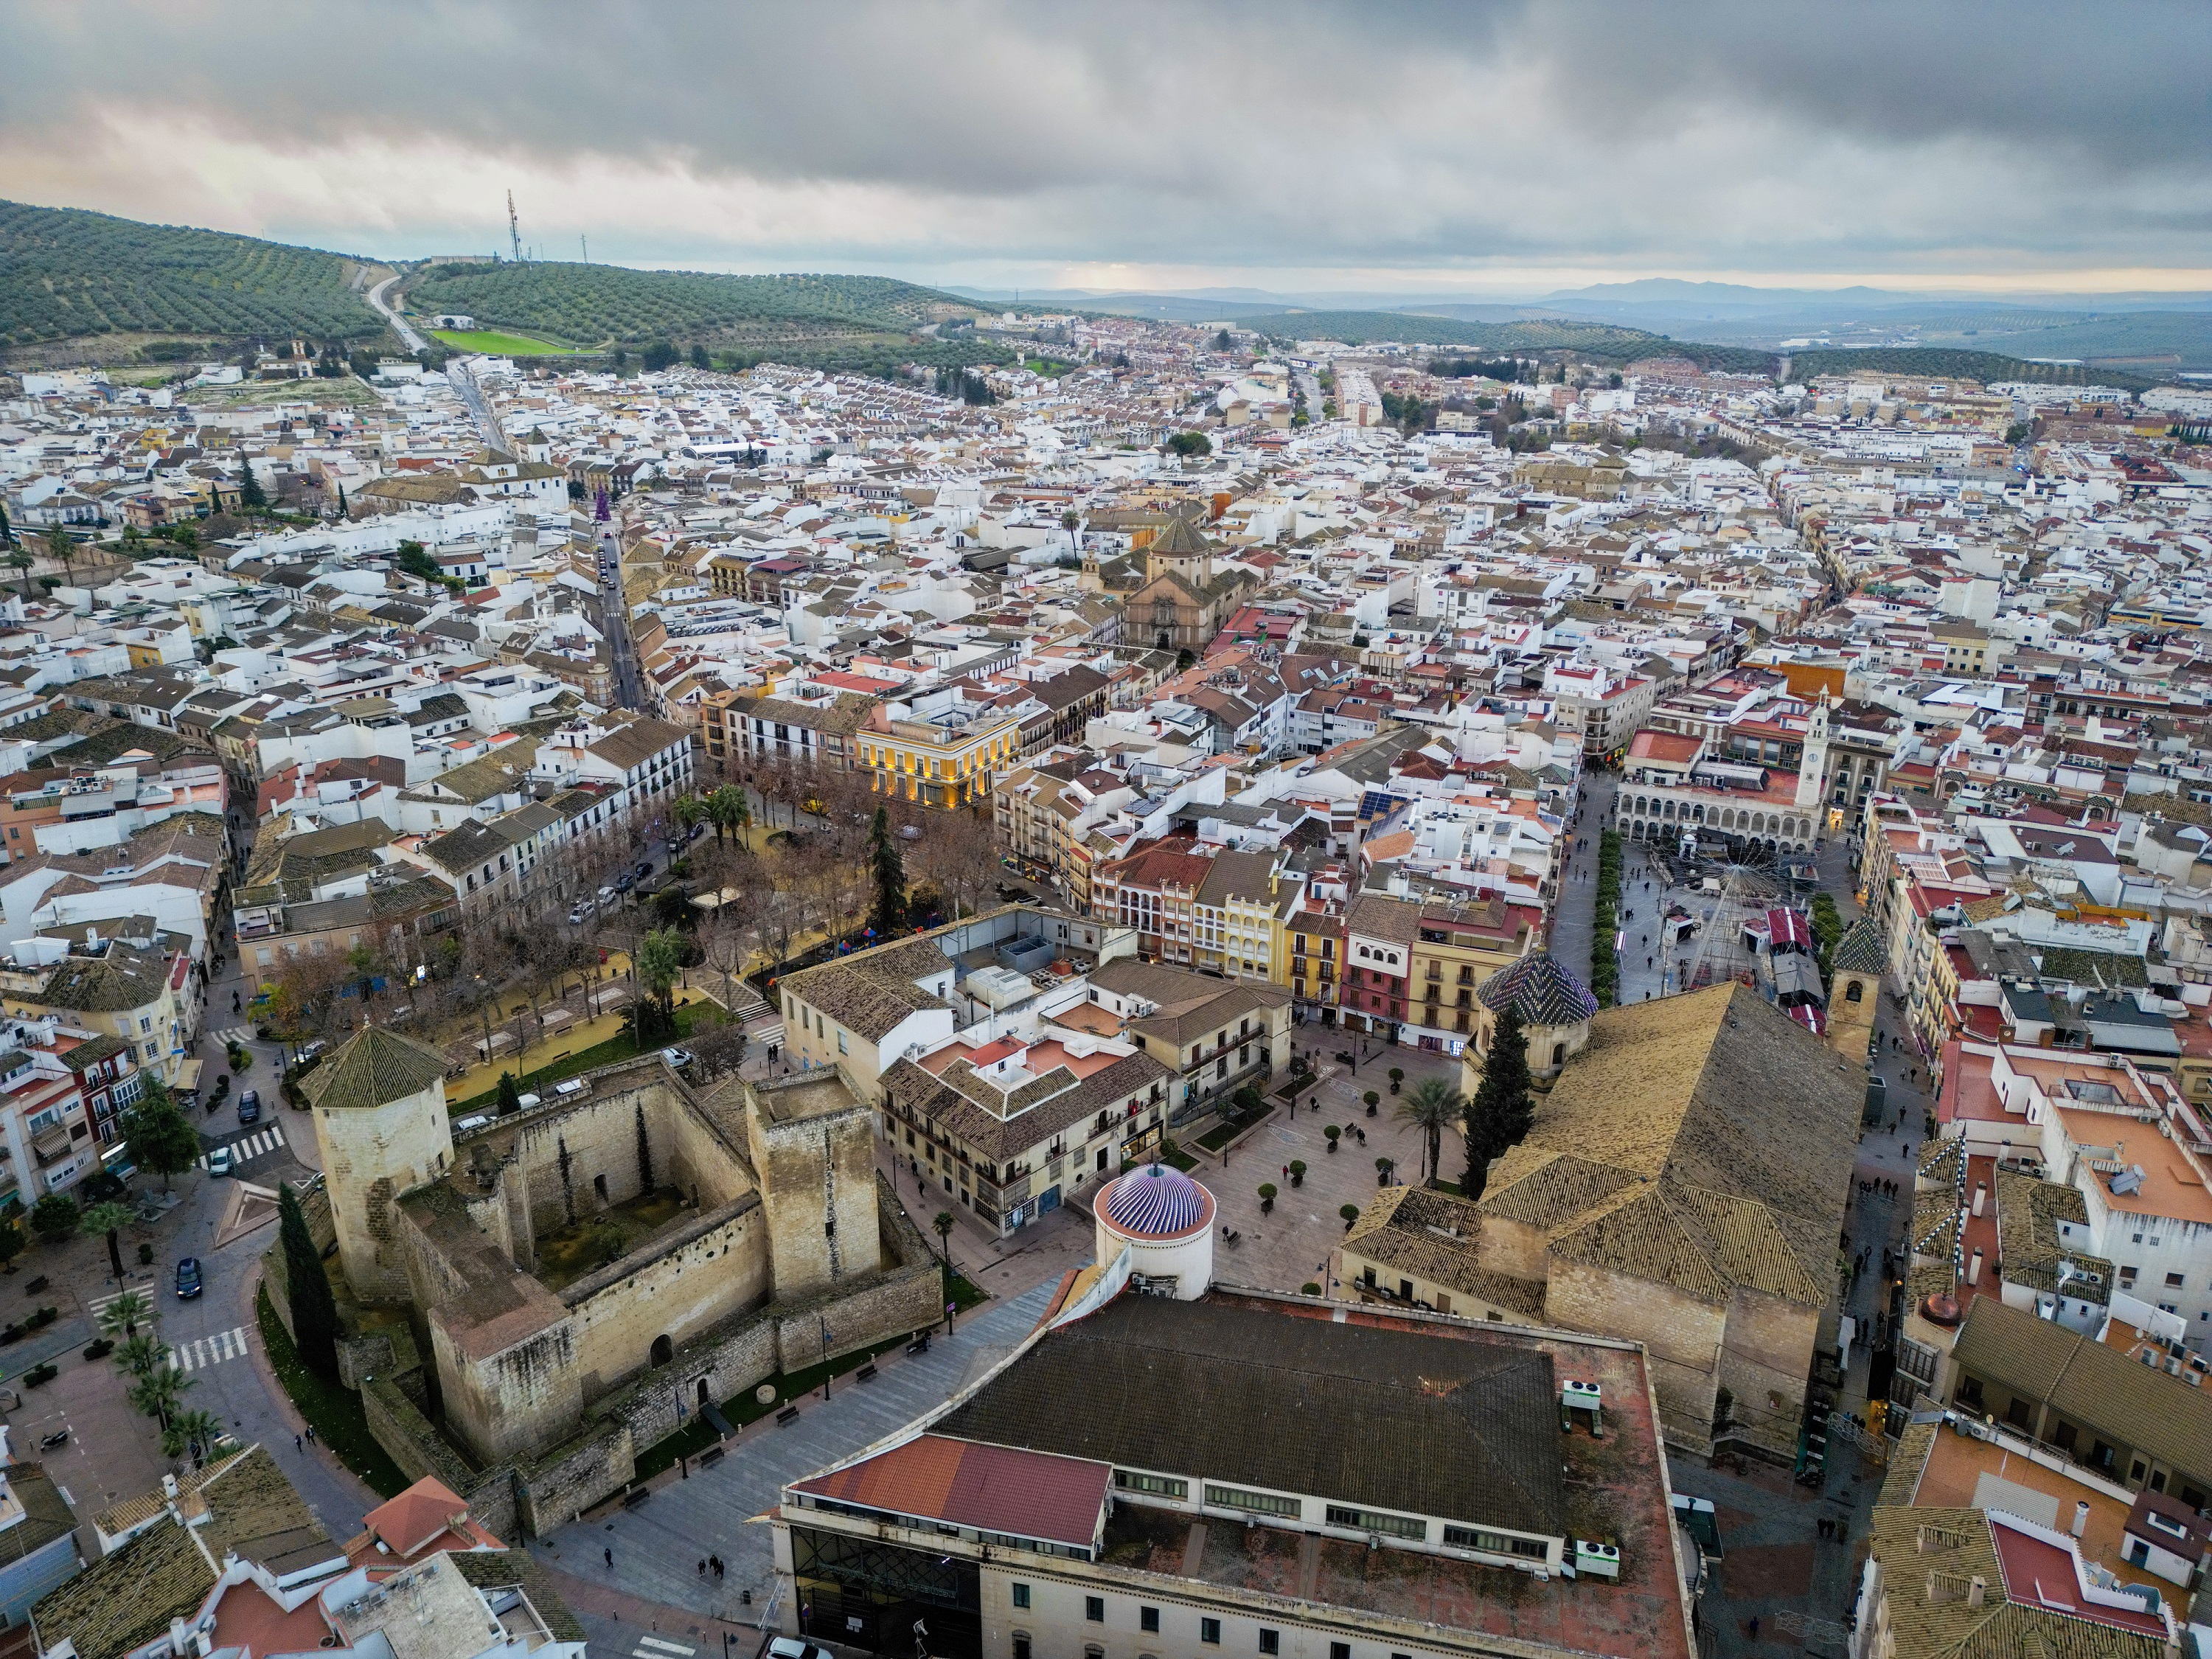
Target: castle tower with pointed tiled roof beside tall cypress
(379, 1118)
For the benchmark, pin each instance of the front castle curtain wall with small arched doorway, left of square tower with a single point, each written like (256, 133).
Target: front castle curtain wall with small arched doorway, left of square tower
(700, 1277)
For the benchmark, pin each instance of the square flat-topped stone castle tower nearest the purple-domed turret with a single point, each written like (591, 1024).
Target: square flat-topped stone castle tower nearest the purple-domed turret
(815, 1156)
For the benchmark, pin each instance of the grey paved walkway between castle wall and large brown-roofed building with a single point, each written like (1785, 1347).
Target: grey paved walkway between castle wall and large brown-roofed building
(658, 1545)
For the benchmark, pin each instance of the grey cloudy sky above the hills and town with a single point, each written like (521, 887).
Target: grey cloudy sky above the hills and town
(1501, 149)
